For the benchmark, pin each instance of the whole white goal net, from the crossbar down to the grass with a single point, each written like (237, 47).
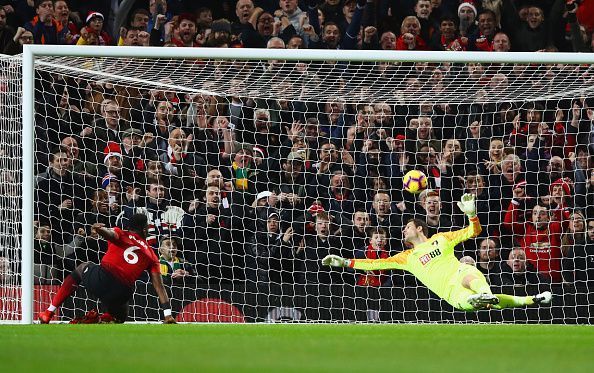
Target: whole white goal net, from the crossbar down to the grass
(251, 170)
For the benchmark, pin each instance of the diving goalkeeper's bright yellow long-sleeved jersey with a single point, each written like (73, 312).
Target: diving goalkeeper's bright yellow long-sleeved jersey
(433, 262)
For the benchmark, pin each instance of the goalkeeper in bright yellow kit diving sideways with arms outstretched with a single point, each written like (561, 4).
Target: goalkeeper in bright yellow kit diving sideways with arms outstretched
(432, 261)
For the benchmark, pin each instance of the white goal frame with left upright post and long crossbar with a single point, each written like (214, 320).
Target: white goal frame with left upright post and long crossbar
(32, 52)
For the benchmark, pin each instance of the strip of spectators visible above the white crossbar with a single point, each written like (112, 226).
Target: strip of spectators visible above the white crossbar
(456, 25)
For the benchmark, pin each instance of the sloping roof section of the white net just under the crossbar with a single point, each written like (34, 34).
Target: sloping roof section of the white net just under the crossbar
(350, 82)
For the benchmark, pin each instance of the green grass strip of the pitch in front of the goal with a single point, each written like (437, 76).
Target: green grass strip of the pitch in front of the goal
(264, 348)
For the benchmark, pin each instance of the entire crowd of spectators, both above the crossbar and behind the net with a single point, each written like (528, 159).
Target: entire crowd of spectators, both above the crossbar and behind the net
(246, 189)
